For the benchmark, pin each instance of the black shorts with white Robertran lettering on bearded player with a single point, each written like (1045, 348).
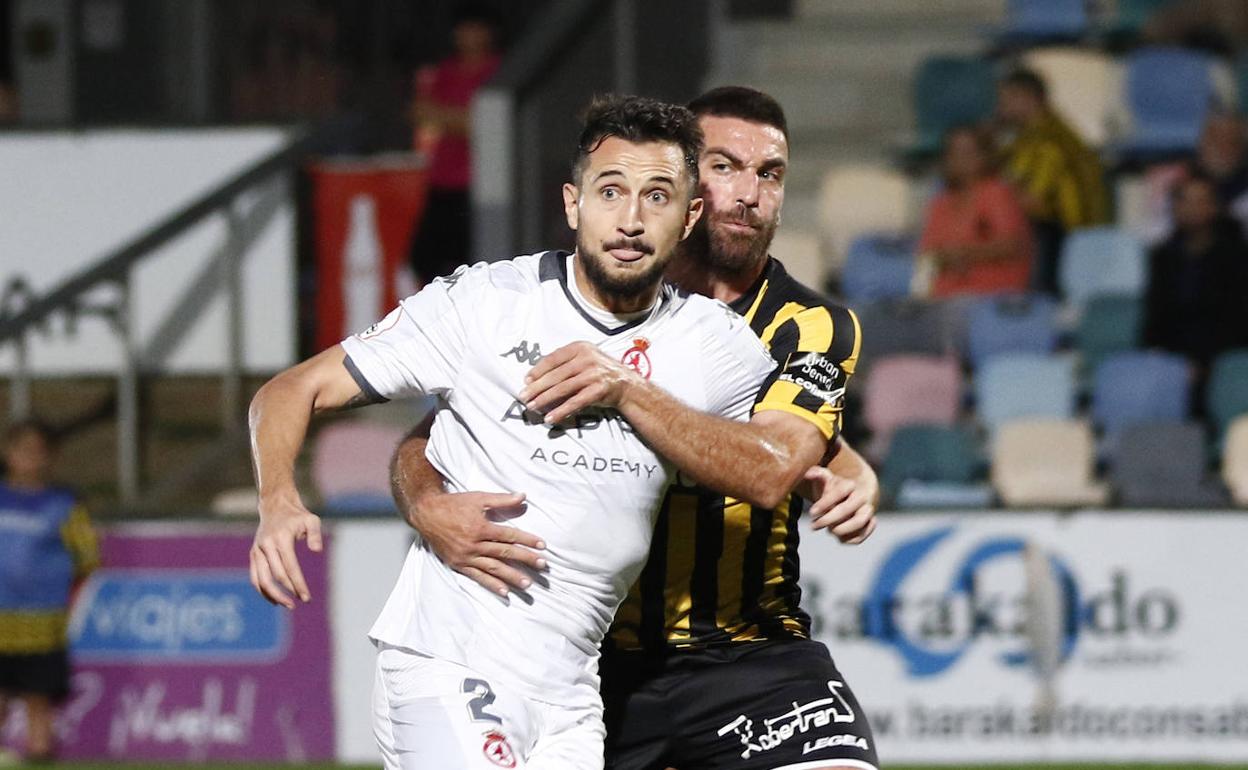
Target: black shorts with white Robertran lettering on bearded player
(761, 706)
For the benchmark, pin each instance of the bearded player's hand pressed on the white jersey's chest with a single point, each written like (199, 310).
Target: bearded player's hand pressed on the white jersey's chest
(575, 378)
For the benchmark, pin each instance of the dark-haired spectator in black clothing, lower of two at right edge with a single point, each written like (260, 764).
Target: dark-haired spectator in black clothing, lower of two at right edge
(1199, 279)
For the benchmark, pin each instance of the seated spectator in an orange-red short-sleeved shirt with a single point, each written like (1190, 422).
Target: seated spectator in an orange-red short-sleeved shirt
(977, 231)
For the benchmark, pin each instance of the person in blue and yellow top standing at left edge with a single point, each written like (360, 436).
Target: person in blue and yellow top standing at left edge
(47, 548)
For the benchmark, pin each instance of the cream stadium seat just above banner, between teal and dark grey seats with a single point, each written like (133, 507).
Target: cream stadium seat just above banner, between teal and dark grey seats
(1046, 462)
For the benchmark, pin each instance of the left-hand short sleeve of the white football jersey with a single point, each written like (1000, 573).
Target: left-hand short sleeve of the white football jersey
(420, 348)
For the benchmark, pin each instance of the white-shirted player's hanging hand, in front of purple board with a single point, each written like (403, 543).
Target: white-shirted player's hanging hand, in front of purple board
(275, 567)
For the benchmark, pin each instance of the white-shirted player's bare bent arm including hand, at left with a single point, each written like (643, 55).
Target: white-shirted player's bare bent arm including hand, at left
(279, 421)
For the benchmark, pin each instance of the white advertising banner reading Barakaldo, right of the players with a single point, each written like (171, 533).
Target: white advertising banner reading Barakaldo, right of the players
(1129, 641)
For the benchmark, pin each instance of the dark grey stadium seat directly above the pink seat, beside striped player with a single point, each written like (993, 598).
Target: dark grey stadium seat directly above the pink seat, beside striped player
(903, 326)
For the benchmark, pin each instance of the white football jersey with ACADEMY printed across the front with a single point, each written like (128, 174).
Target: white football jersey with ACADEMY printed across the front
(592, 485)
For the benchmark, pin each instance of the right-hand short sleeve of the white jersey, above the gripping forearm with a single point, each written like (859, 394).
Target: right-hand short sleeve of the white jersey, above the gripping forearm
(738, 365)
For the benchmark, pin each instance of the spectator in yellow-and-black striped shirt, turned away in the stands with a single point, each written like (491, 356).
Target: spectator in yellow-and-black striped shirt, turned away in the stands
(1059, 179)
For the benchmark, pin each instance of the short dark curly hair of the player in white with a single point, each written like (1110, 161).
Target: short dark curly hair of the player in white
(637, 119)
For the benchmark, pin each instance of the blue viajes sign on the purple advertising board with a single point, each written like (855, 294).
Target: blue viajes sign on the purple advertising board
(175, 616)
